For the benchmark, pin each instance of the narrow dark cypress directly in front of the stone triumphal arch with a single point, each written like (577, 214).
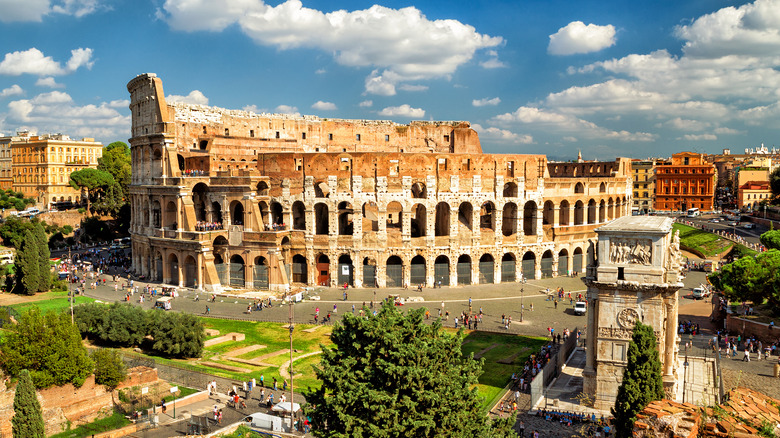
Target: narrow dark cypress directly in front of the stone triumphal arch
(642, 382)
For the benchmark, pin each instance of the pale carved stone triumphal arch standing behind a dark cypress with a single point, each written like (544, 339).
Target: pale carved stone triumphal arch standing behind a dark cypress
(634, 277)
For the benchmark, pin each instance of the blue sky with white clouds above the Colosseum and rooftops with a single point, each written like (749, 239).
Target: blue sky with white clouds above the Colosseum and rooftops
(610, 77)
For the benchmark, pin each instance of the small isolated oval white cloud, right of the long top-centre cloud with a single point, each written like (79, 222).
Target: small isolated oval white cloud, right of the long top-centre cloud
(576, 37)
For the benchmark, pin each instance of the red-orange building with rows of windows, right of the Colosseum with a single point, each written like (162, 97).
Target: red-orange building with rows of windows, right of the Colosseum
(689, 182)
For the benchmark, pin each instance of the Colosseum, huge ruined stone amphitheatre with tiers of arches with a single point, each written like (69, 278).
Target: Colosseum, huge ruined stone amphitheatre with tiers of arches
(233, 199)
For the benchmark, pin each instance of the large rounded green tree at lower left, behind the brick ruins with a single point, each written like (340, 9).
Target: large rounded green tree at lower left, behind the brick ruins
(47, 345)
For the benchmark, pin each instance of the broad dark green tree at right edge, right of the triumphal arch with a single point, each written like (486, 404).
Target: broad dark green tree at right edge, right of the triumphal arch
(751, 278)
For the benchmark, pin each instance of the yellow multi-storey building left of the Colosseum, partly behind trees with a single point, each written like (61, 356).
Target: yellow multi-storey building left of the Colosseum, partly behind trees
(41, 165)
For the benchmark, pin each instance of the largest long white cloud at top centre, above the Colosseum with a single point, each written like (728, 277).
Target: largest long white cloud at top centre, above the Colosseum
(400, 45)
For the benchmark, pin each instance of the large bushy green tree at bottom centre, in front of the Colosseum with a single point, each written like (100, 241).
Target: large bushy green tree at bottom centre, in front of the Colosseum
(392, 375)
